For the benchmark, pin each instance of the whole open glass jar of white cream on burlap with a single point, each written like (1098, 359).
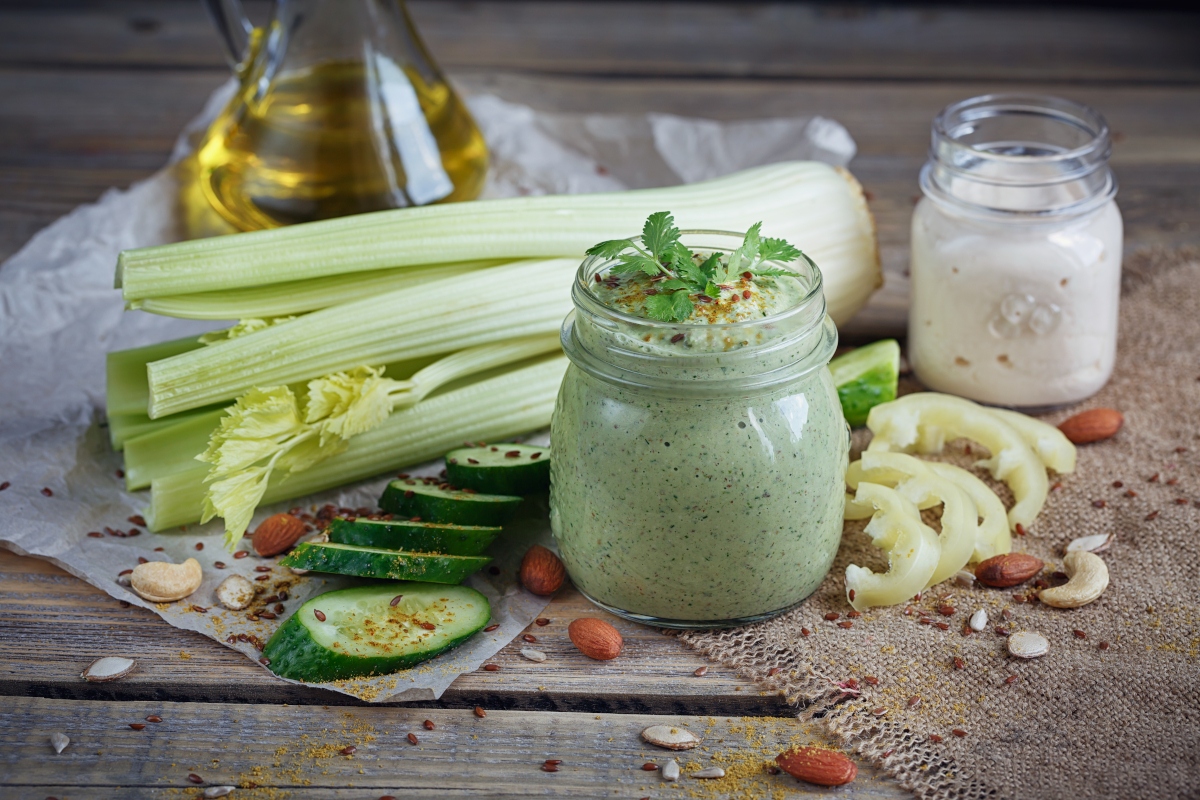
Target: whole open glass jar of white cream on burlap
(1017, 251)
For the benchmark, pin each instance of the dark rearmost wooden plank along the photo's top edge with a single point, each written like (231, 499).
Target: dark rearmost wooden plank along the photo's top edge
(777, 40)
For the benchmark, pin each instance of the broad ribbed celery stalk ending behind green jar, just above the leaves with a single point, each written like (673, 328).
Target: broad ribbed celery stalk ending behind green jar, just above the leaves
(505, 303)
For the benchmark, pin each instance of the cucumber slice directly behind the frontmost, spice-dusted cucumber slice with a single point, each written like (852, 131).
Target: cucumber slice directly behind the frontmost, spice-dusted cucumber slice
(377, 563)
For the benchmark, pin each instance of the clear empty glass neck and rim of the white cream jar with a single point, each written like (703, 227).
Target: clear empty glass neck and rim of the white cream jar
(1019, 155)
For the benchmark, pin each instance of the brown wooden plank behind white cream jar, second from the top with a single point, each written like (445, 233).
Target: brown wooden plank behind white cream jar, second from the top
(112, 128)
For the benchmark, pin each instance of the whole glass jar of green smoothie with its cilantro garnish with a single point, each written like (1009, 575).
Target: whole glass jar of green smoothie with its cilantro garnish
(700, 448)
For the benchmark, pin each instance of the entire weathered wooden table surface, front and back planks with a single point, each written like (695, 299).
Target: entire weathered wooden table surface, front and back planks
(93, 95)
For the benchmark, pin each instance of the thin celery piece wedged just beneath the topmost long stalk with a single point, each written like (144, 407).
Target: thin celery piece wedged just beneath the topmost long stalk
(301, 297)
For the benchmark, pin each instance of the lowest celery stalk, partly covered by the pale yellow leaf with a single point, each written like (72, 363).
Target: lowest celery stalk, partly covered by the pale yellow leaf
(495, 408)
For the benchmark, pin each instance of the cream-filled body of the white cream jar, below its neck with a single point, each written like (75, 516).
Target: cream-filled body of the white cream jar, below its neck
(1015, 315)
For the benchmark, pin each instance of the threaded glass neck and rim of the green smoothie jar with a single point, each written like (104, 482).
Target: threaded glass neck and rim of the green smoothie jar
(699, 358)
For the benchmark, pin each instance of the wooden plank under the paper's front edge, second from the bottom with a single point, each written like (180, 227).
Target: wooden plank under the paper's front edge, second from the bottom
(55, 625)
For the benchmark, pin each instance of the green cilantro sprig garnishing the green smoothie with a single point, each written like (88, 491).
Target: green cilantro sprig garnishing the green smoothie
(685, 274)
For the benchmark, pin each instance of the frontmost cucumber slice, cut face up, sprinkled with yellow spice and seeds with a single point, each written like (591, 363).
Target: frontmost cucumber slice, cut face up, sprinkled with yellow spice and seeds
(363, 634)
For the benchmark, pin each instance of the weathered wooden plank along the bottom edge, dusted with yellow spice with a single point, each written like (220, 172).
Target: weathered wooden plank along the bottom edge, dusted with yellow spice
(296, 751)
